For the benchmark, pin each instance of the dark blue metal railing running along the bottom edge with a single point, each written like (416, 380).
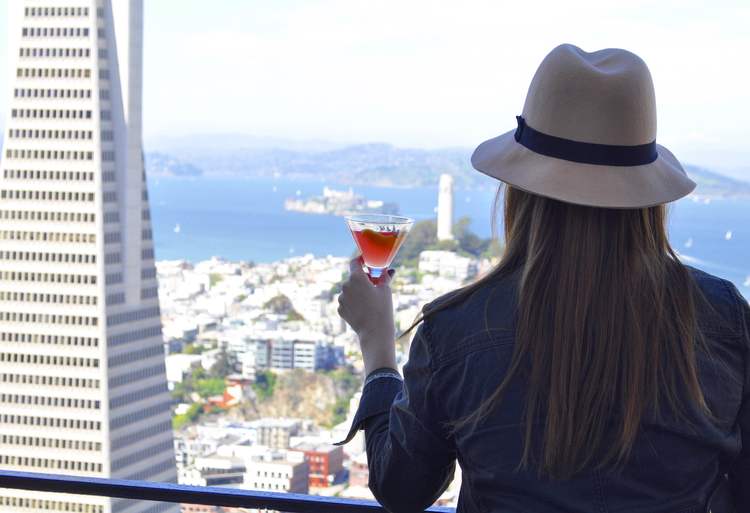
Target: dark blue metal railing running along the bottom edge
(204, 495)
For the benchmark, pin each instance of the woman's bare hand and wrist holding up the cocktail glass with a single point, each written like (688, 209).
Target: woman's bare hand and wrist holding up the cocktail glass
(368, 309)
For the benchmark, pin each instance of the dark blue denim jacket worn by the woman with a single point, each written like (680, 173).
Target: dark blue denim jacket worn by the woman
(456, 360)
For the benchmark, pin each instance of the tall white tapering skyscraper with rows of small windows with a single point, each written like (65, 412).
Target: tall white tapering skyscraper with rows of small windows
(82, 380)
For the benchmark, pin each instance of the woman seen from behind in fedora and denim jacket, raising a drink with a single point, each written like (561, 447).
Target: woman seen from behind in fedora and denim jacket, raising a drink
(590, 371)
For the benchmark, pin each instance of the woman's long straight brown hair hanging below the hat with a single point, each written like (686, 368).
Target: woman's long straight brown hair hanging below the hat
(605, 328)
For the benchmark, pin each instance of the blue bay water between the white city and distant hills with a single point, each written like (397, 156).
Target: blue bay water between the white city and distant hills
(246, 220)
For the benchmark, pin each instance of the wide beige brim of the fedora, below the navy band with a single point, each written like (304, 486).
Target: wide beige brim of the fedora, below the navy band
(661, 181)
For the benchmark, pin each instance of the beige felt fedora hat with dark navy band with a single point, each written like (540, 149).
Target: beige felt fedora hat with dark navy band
(587, 135)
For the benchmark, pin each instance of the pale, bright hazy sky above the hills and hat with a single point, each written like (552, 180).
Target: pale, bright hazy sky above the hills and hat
(429, 73)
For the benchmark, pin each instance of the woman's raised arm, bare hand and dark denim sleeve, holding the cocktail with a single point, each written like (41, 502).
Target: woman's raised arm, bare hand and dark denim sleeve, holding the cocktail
(411, 460)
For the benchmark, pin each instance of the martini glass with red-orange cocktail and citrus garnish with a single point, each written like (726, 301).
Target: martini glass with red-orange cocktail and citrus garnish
(378, 237)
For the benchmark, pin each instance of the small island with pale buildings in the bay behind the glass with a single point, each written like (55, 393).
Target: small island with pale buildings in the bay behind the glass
(340, 203)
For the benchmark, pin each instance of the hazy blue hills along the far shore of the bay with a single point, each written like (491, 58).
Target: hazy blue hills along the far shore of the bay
(361, 164)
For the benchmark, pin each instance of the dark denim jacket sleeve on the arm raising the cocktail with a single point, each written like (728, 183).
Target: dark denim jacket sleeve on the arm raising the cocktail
(411, 461)
